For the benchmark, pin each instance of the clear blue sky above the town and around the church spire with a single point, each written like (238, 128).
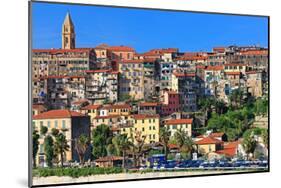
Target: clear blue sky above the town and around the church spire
(145, 29)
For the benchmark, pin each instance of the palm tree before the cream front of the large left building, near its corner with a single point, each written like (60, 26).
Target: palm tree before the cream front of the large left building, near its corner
(61, 146)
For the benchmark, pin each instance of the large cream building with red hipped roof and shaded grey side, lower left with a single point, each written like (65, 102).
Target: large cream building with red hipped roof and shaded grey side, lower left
(72, 123)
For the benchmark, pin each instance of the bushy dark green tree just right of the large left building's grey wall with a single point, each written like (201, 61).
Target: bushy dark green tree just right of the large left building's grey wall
(100, 140)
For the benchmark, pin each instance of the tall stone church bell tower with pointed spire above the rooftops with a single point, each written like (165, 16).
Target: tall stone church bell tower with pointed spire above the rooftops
(68, 33)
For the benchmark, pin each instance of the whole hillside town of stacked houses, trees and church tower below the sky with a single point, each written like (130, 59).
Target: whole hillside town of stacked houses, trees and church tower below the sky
(110, 106)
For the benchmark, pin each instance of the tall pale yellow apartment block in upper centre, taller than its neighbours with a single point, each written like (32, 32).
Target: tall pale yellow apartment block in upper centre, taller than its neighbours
(131, 80)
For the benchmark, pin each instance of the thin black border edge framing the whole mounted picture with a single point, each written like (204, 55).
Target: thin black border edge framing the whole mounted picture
(130, 7)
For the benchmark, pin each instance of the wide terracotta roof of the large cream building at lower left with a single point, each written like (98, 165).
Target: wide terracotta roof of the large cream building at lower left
(57, 114)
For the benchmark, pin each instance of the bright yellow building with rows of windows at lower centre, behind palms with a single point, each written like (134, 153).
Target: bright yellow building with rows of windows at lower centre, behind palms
(148, 125)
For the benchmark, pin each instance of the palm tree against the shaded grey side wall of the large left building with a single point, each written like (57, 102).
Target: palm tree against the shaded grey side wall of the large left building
(81, 146)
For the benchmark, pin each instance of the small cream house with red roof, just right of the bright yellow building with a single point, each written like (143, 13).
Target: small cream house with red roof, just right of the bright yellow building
(176, 124)
